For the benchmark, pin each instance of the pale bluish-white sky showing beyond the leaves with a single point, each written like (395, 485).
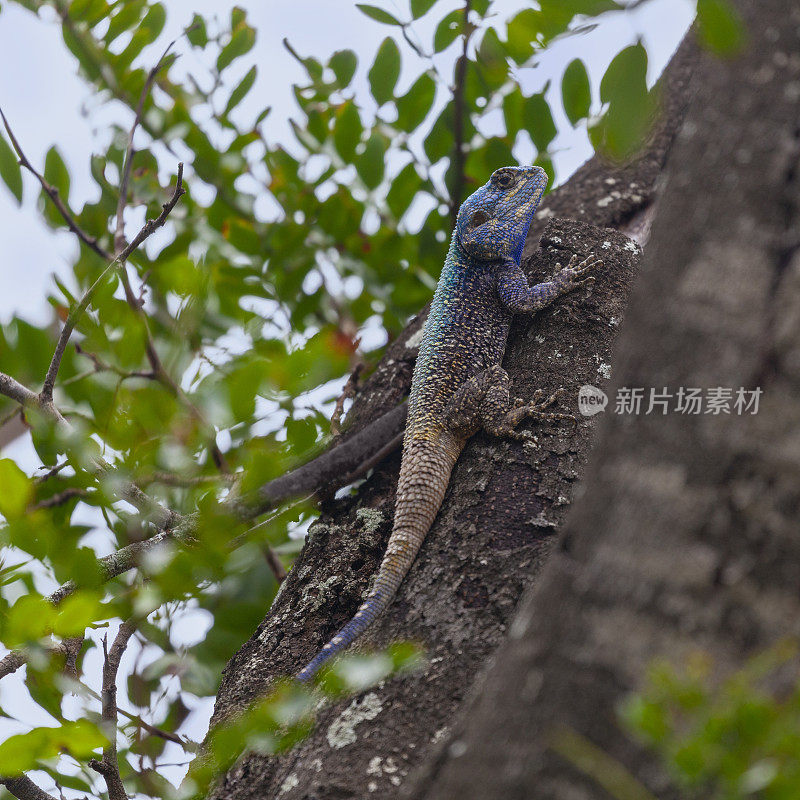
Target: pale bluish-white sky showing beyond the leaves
(46, 103)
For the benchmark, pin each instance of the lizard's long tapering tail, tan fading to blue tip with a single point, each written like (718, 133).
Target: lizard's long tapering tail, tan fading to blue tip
(423, 480)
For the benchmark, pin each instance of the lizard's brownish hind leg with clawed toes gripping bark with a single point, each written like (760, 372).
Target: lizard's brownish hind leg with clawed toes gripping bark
(484, 401)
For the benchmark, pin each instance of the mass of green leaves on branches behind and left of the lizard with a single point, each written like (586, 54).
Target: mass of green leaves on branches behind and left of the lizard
(214, 351)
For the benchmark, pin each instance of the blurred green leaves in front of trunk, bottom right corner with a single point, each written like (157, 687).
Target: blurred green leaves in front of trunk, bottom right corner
(730, 739)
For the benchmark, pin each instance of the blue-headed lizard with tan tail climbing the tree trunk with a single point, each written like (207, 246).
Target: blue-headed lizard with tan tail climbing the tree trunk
(459, 386)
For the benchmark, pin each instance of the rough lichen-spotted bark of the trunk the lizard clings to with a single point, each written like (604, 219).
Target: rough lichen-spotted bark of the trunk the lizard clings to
(496, 526)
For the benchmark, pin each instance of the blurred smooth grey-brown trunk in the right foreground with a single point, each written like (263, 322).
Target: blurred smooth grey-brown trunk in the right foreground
(685, 537)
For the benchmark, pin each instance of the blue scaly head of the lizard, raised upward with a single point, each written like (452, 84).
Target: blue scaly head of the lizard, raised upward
(493, 221)
